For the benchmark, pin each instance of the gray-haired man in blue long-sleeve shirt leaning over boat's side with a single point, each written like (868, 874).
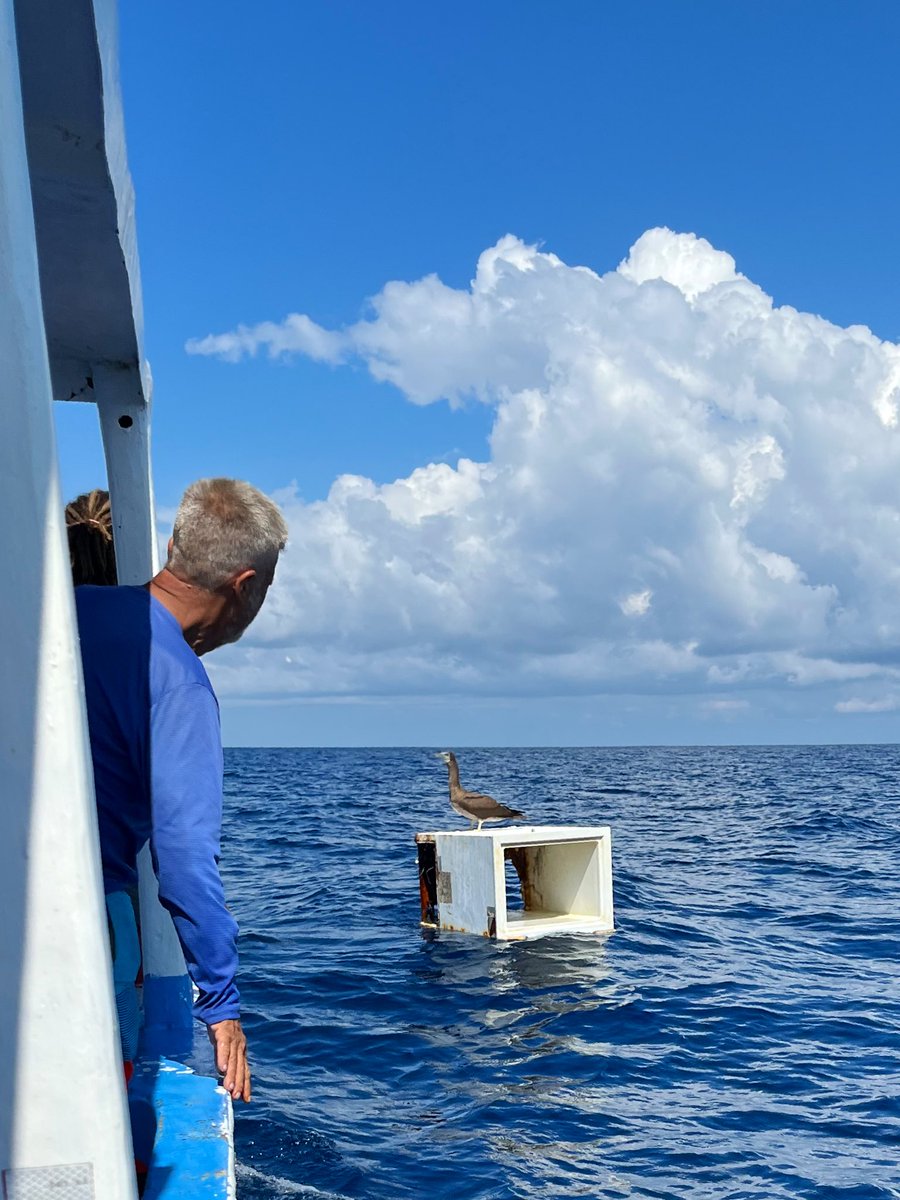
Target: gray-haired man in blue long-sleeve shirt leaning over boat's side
(157, 742)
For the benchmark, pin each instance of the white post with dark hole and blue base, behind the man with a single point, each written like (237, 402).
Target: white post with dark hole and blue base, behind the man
(125, 425)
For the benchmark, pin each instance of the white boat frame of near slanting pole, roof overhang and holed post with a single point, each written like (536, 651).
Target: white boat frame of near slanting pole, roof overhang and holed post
(70, 329)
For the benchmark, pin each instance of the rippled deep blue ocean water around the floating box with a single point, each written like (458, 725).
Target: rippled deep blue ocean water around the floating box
(739, 1036)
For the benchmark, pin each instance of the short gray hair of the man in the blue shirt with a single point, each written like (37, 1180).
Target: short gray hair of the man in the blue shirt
(223, 527)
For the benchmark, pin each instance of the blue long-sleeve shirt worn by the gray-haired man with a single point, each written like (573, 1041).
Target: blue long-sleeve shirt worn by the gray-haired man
(158, 771)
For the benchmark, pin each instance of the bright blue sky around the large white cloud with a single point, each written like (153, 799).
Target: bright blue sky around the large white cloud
(297, 158)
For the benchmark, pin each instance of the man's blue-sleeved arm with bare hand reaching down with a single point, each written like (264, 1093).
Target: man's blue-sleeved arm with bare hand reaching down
(187, 811)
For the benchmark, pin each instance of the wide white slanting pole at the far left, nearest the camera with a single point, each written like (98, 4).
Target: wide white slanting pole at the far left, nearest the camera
(64, 1124)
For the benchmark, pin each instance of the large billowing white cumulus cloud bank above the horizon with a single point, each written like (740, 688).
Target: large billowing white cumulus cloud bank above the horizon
(688, 489)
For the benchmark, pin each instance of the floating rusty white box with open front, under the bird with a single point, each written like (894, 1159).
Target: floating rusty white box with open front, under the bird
(565, 875)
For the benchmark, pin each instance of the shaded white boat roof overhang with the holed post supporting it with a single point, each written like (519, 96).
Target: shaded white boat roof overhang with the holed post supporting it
(91, 283)
